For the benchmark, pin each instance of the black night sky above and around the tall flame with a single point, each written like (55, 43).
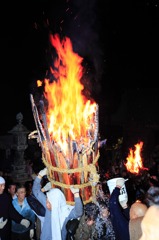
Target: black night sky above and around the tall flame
(117, 39)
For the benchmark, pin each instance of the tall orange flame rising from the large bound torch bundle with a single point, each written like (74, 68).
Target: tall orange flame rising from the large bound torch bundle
(69, 114)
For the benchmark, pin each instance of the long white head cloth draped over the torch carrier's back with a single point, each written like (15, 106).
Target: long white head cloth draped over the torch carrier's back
(60, 210)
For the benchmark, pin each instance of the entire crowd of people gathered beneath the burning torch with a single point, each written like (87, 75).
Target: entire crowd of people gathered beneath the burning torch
(38, 211)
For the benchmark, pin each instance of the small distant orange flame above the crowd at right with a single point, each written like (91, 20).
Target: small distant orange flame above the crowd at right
(134, 160)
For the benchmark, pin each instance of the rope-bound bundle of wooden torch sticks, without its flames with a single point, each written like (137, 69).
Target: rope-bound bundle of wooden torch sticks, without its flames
(75, 167)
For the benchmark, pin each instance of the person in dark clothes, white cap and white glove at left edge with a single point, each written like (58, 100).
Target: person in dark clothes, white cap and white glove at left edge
(8, 213)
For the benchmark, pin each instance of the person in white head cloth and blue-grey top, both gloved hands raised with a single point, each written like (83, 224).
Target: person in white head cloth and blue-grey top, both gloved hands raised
(57, 211)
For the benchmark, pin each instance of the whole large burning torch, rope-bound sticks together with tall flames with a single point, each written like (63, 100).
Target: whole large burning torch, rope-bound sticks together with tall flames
(67, 125)
